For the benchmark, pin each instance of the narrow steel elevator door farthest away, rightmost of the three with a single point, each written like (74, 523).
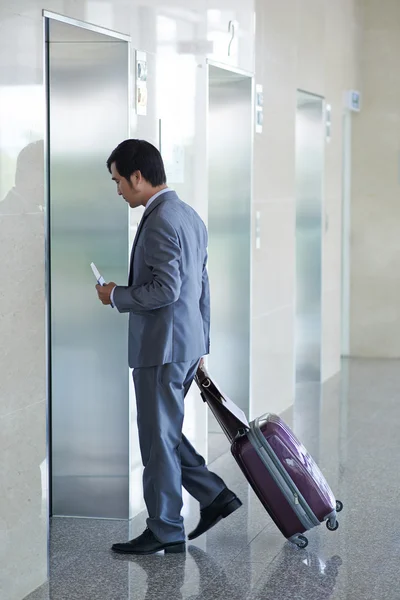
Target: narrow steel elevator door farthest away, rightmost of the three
(309, 190)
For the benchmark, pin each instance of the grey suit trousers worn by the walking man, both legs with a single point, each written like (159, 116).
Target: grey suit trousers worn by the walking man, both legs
(169, 459)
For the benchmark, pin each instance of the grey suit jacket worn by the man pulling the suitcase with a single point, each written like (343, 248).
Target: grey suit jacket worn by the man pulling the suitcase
(167, 297)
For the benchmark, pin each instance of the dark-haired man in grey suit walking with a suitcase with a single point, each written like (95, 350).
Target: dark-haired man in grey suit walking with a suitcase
(167, 298)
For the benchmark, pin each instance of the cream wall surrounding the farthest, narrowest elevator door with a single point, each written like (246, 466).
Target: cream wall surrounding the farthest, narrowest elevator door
(309, 45)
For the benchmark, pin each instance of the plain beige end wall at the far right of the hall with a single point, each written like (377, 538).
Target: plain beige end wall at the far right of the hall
(375, 214)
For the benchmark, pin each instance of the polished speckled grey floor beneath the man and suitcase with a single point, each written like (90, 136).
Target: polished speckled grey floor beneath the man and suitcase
(351, 426)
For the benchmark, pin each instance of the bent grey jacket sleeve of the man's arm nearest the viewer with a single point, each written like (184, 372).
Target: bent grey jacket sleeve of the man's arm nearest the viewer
(162, 255)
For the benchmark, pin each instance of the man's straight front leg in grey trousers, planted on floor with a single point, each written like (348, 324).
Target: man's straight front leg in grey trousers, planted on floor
(160, 408)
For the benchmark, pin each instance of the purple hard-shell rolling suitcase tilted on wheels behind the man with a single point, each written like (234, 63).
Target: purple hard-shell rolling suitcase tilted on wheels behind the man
(281, 472)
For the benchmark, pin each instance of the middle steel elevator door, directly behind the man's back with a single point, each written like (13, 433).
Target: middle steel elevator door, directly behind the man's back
(229, 179)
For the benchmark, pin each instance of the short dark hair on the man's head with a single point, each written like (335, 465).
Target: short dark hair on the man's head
(138, 155)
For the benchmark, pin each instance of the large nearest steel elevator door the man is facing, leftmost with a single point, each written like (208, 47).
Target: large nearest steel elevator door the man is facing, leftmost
(88, 117)
